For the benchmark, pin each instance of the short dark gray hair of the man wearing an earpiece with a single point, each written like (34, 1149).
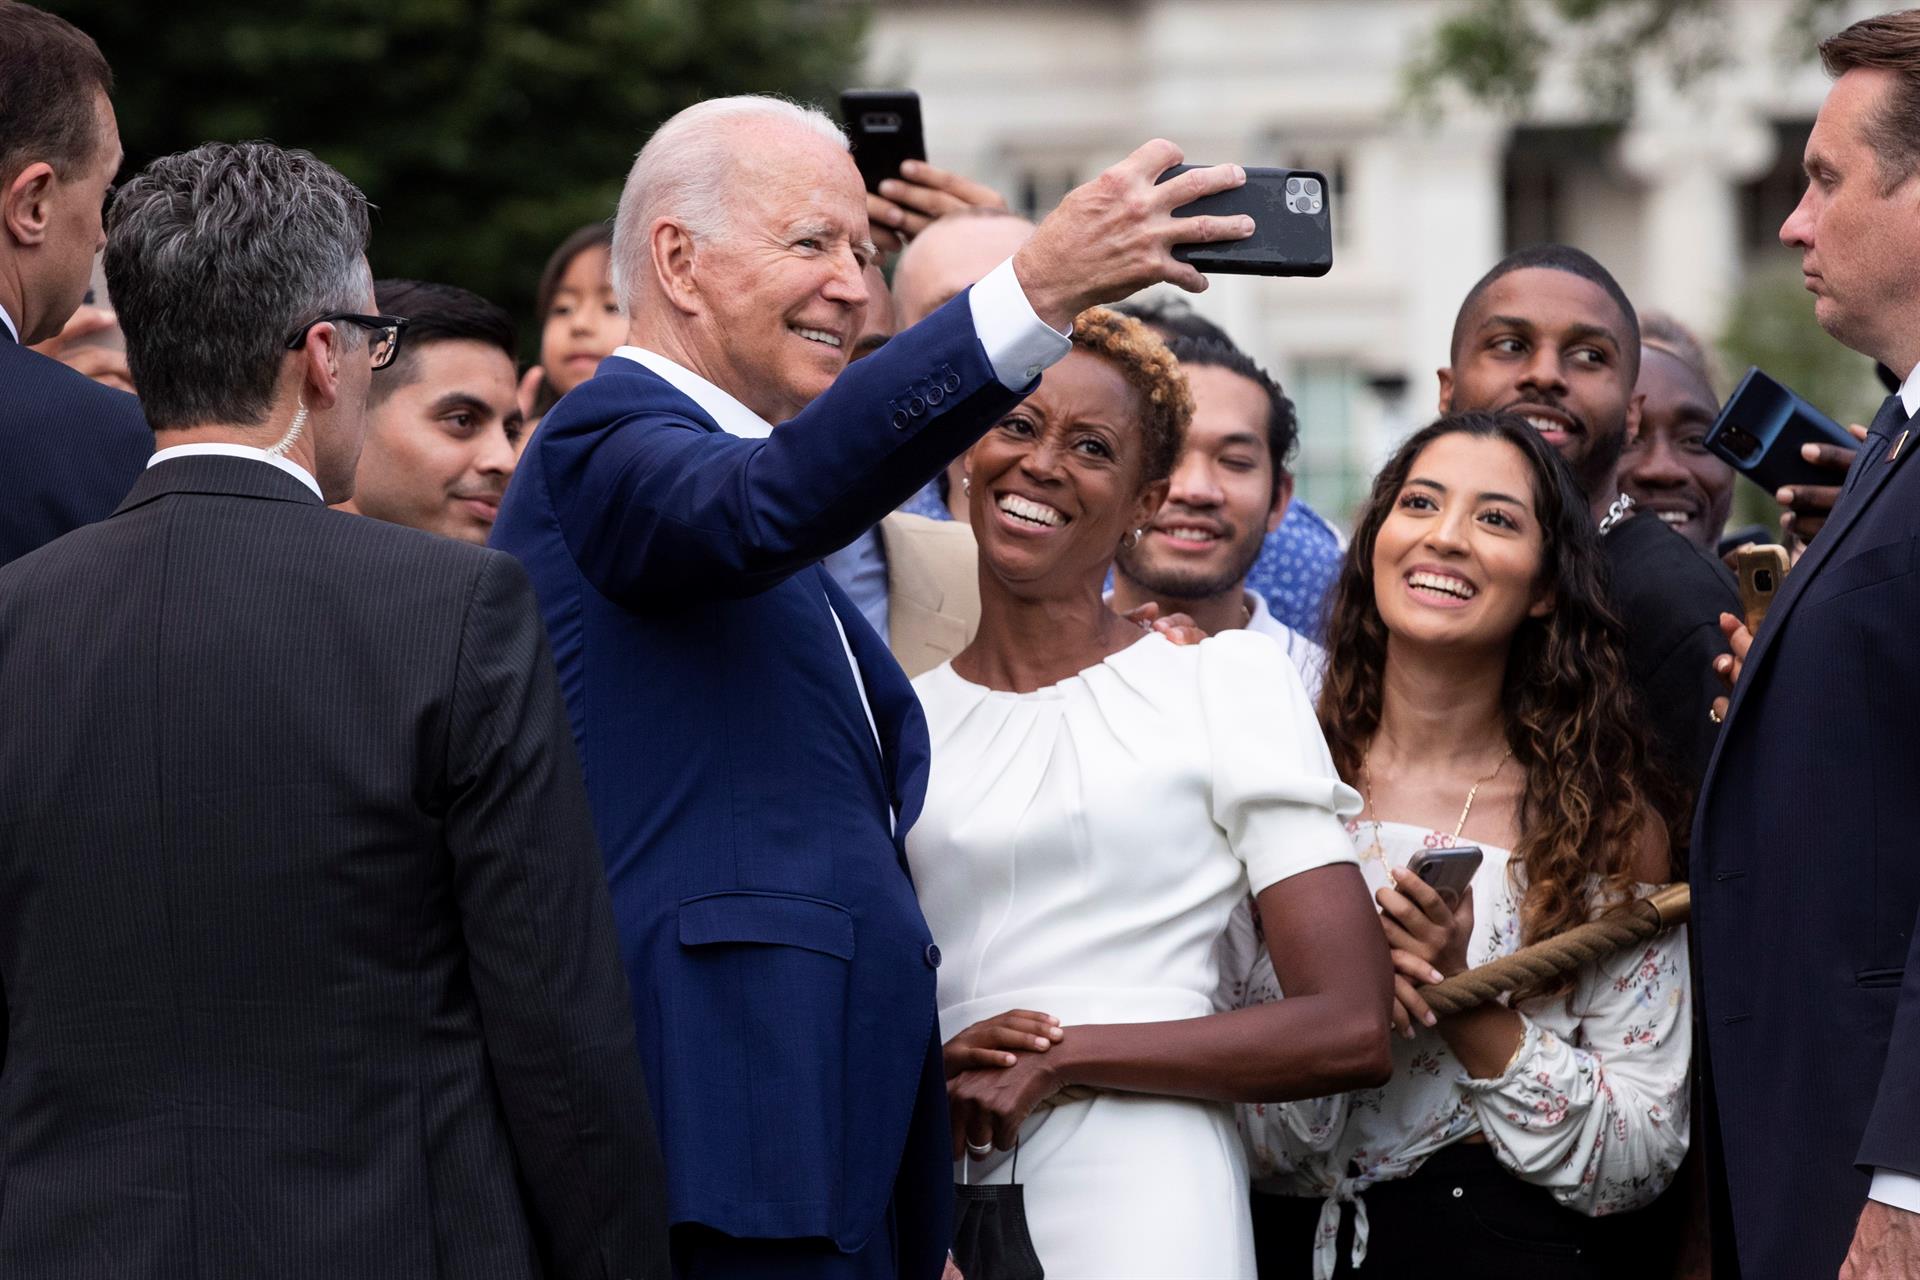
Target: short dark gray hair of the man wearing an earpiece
(214, 258)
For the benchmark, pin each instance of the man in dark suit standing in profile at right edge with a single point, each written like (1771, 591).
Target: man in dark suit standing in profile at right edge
(1808, 882)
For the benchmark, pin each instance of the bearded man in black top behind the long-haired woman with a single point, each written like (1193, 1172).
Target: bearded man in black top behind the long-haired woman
(1550, 337)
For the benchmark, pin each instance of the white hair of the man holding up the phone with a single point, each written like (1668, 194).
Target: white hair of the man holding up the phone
(686, 172)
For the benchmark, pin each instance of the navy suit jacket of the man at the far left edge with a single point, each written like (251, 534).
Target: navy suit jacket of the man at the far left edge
(72, 448)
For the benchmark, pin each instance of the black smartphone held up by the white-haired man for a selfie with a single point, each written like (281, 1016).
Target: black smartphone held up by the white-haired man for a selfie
(1293, 225)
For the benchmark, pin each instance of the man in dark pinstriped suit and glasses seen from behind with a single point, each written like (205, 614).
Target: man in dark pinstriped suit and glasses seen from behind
(306, 945)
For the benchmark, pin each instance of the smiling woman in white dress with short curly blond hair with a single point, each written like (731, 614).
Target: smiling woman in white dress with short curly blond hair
(1099, 803)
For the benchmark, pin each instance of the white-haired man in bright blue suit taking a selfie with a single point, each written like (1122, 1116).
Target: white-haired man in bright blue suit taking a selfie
(754, 753)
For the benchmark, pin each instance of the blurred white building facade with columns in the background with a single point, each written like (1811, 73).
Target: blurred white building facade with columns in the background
(1679, 202)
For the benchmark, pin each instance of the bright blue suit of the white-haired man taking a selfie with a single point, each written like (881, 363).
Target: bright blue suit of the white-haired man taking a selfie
(782, 970)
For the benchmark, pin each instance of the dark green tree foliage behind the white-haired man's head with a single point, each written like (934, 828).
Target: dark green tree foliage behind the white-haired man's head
(483, 130)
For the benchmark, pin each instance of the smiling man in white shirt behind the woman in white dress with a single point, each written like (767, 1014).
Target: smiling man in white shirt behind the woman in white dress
(1230, 490)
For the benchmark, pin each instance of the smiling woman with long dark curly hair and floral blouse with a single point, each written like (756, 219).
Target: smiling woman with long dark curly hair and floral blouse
(1477, 696)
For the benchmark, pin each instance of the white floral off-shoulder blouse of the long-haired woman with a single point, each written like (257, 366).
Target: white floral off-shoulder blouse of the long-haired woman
(1595, 1104)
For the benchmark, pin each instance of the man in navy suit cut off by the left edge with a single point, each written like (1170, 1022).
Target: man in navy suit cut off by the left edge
(72, 446)
